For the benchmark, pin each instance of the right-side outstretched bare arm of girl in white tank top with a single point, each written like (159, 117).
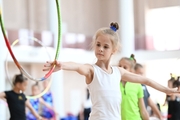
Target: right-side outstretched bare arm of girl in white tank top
(128, 76)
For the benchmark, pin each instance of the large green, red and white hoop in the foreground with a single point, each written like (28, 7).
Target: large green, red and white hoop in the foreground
(57, 49)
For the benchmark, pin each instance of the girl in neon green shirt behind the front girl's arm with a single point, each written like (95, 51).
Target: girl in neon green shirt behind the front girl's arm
(132, 106)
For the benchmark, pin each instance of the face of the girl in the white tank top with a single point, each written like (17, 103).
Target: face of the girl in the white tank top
(103, 47)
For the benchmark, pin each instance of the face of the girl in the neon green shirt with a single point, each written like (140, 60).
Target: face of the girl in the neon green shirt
(125, 64)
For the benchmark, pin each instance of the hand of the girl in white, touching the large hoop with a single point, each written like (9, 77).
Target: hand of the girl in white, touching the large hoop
(49, 65)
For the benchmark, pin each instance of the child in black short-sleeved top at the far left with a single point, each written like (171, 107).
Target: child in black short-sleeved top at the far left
(17, 101)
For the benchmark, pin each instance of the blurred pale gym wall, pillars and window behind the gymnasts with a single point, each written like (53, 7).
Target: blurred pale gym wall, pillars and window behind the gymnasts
(148, 28)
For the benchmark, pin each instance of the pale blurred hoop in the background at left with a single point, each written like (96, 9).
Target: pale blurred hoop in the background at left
(7, 72)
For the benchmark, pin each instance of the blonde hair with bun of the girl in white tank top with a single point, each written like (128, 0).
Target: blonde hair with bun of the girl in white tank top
(111, 32)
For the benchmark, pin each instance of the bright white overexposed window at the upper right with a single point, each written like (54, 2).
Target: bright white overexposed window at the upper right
(163, 24)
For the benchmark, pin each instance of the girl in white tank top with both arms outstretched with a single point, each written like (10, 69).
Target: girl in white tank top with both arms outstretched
(103, 79)
